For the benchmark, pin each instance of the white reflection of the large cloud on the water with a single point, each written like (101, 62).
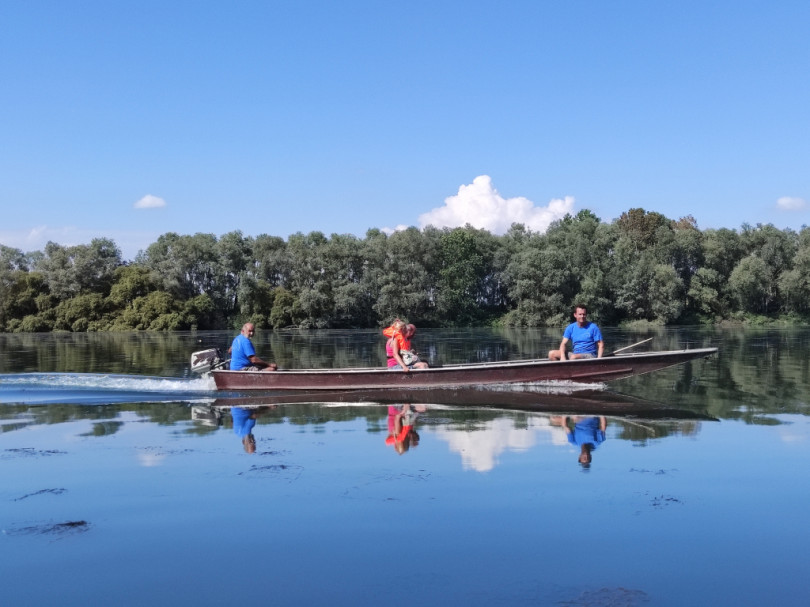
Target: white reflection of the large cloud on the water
(479, 449)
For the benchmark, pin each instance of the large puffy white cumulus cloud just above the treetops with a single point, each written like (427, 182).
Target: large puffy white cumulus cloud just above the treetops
(480, 205)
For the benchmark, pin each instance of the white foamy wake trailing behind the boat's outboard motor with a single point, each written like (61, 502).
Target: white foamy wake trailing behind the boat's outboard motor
(92, 388)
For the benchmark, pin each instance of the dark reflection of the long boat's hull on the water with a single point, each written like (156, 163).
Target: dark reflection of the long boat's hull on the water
(581, 402)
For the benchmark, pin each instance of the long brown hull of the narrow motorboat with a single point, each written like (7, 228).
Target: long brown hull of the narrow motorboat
(595, 370)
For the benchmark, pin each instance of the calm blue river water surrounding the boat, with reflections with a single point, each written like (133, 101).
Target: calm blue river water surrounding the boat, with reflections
(126, 480)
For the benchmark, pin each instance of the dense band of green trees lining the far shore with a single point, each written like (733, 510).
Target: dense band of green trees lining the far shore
(641, 268)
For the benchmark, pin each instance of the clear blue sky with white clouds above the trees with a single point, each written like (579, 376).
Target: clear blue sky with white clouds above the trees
(131, 119)
